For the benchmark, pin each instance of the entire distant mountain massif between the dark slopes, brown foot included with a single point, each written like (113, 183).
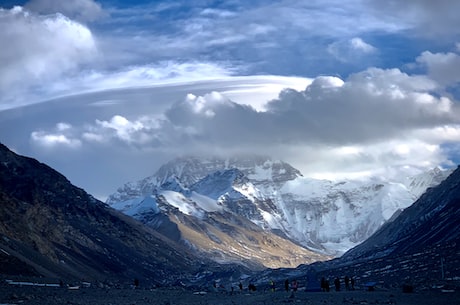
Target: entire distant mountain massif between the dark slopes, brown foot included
(257, 193)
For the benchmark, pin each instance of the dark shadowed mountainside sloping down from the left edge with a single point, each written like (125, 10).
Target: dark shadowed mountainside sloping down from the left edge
(49, 227)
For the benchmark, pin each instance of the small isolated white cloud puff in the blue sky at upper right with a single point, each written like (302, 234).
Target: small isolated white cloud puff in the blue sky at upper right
(352, 50)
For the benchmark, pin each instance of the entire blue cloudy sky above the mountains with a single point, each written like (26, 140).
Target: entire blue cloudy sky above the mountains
(107, 91)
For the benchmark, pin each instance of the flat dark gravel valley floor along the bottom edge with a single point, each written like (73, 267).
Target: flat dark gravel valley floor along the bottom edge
(164, 296)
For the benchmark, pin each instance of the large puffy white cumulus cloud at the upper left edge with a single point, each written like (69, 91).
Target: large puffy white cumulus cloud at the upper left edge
(40, 49)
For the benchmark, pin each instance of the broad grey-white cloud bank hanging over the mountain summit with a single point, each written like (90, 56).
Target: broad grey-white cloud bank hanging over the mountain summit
(376, 122)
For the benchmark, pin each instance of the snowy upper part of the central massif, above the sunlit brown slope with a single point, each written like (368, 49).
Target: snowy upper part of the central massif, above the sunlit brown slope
(324, 216)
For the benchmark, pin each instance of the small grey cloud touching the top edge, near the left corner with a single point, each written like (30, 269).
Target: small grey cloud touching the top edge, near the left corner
(82, 10)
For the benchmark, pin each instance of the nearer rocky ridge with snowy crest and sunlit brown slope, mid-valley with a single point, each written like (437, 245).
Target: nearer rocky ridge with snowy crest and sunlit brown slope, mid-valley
(221, 215)
